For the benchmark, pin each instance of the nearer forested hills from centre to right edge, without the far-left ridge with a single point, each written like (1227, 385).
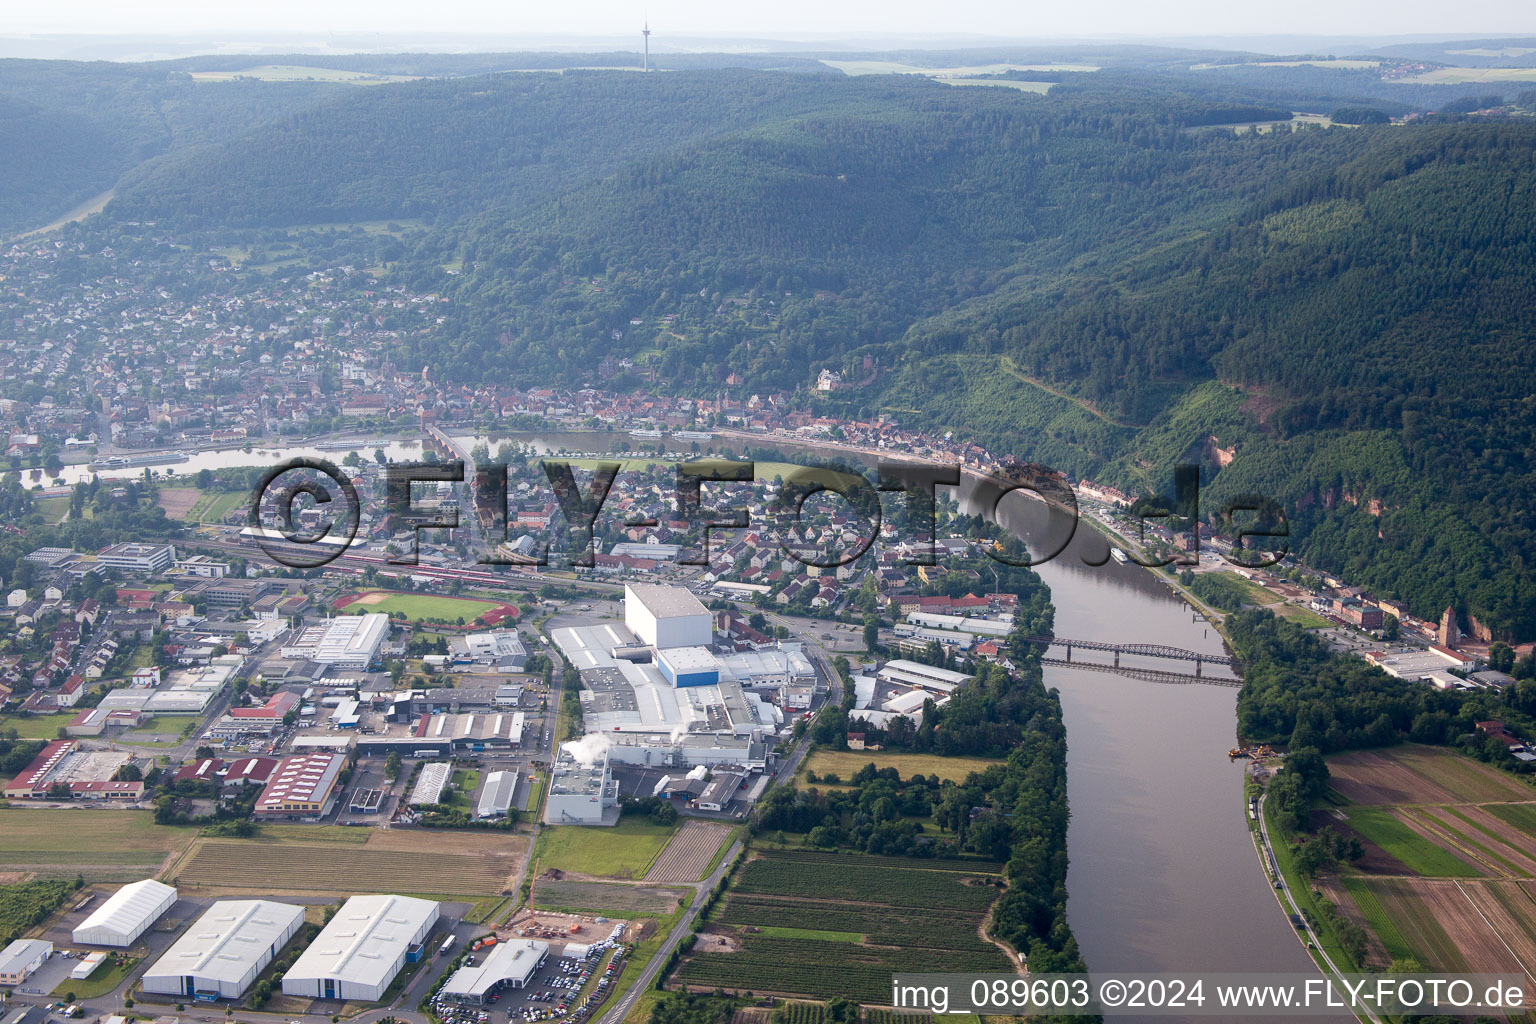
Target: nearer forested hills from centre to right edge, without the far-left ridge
(1348, 311)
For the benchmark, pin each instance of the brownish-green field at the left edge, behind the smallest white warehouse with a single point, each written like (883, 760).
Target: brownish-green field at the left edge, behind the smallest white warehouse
(104, 845)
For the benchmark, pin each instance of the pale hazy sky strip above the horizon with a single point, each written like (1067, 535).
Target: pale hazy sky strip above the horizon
(781, 19)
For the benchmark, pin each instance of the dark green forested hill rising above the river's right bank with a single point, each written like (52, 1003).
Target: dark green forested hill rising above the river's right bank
(1359, 340)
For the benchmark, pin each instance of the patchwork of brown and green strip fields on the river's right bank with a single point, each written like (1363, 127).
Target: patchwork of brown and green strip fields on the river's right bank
(1451, 871)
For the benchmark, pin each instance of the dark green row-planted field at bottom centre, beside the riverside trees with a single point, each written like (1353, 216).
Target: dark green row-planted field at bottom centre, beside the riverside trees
(789, 916)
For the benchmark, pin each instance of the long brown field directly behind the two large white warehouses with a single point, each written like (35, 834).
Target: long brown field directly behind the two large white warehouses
(386, 862)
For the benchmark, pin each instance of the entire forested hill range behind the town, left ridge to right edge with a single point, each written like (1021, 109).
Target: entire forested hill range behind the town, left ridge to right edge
(1094, 279)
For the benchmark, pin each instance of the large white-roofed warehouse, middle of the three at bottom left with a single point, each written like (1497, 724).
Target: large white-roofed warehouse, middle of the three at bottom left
(223, 953)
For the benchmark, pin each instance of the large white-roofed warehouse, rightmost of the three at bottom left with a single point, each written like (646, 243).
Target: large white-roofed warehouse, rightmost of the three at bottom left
(360, 953)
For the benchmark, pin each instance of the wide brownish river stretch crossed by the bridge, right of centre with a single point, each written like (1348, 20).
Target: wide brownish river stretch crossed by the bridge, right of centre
(1164, 874)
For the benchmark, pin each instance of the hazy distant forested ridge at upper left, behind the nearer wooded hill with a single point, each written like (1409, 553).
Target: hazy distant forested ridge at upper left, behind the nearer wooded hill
(443, 150)
